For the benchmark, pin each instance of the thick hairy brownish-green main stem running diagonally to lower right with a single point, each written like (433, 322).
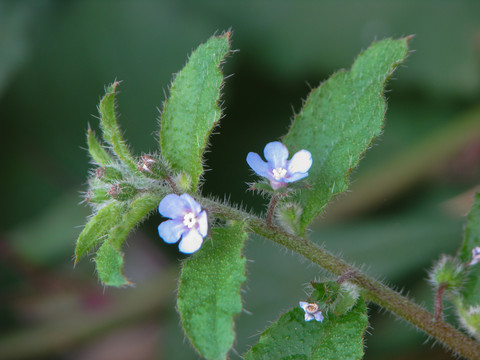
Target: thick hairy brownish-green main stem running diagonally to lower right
(374, 290)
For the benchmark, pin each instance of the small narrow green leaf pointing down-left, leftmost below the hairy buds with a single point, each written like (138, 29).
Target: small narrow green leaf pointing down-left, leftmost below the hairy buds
(97, 228)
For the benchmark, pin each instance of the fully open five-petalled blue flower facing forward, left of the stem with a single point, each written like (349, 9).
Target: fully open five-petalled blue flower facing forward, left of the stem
(189, 222)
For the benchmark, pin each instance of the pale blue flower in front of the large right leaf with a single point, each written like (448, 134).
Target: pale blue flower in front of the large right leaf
(278, 170)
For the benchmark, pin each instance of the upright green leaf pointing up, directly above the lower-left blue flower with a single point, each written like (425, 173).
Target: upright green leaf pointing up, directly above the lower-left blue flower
(192, 110)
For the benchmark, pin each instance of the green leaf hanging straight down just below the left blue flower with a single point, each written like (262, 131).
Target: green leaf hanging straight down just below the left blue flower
(209, 291)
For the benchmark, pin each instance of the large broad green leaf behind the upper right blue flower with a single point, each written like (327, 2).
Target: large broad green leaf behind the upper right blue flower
(340, 120)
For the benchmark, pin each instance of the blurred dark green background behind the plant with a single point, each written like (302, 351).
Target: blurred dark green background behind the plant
(408, 198)
